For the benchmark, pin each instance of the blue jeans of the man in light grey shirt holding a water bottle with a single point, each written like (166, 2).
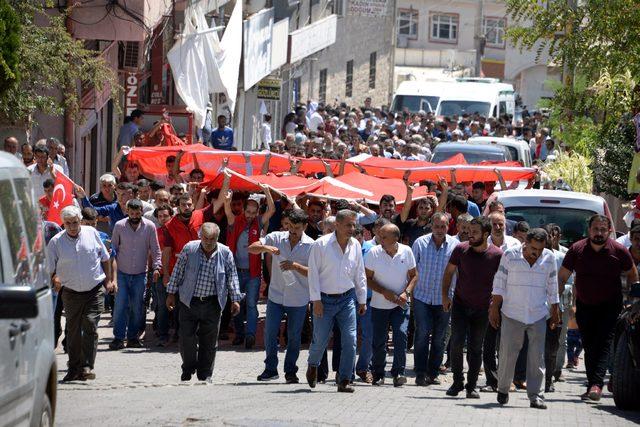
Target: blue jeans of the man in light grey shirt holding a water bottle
(295, 321)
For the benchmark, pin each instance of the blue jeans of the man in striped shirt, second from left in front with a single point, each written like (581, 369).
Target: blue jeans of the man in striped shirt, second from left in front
(129, 307)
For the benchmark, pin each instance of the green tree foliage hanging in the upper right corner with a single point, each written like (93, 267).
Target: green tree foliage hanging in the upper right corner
(598, 43)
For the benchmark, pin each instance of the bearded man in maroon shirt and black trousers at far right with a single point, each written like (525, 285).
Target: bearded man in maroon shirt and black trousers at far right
(598, 262)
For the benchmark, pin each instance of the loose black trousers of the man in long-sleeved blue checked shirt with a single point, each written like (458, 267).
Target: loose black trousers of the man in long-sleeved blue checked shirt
(199, 327)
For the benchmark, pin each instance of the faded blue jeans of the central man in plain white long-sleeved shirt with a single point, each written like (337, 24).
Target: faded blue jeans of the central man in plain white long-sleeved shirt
(341, 310)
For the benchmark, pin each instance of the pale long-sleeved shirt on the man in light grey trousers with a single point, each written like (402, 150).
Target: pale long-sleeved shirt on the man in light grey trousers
(527, 291)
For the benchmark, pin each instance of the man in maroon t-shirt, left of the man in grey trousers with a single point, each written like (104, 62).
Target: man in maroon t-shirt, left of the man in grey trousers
(476, 262)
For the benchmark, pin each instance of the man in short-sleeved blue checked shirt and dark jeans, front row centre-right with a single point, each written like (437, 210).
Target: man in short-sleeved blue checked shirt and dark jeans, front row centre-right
(432, 253)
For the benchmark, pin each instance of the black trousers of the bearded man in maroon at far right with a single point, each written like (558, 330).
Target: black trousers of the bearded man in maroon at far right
(597, 328)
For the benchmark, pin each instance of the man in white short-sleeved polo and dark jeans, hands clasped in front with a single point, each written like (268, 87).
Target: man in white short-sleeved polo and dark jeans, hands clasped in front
(391, 274)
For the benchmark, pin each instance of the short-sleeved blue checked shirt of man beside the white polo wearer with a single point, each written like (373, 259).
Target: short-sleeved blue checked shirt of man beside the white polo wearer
(431, 263)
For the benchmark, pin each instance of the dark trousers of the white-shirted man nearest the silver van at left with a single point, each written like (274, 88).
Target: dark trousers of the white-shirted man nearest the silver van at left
(83, 311)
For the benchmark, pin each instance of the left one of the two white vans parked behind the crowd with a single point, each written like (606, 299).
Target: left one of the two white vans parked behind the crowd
(414, 95)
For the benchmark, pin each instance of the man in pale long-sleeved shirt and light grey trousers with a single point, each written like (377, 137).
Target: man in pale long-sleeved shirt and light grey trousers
(525, 289)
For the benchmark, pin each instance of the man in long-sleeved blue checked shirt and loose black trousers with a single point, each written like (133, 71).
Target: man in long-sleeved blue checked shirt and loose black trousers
(203, 276)
